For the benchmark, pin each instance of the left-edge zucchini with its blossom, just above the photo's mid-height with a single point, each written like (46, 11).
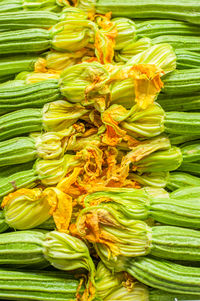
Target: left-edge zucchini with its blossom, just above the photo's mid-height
(53, 117)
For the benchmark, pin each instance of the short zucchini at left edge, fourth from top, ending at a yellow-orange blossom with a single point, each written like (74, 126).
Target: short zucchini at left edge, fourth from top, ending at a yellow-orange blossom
(10, 65)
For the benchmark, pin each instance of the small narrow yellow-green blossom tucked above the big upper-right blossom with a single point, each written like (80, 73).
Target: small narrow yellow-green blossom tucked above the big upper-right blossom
(131, 49)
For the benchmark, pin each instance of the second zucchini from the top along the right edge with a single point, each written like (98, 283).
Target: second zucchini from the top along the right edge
(154, 28)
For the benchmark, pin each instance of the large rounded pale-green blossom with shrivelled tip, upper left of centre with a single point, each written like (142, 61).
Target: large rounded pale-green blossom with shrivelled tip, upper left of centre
(85, 83)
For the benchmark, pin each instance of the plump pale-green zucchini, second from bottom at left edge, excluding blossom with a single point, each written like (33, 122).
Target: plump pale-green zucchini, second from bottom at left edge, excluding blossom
(22, 249)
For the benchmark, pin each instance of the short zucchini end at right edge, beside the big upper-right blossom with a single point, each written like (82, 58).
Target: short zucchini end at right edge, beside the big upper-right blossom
(187, 59)
